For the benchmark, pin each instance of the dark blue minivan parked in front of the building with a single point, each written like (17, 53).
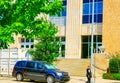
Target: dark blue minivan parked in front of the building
(39, 71)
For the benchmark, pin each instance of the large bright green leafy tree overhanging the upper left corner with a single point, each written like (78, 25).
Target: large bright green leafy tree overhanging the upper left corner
(18, 16)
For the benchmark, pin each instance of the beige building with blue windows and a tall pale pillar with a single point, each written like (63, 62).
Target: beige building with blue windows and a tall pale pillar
(75, 25)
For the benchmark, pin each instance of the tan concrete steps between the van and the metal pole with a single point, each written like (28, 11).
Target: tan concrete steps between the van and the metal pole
(75, 67)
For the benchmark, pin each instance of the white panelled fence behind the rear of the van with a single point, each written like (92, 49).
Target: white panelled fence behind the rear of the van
(8, 58)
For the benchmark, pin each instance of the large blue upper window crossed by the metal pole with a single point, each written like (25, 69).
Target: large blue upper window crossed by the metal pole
(87, 11)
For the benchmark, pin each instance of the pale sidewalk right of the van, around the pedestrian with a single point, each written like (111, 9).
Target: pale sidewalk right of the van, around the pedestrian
(75, 79)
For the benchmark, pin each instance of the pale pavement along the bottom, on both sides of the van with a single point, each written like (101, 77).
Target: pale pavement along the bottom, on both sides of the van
(73, 79)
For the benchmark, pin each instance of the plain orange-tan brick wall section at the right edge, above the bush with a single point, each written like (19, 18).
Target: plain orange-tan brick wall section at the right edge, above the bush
(111, 25)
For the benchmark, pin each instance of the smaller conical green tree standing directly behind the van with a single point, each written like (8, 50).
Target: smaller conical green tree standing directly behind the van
(47, 47)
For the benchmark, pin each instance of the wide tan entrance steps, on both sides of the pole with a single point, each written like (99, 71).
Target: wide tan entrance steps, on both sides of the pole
(77, 67)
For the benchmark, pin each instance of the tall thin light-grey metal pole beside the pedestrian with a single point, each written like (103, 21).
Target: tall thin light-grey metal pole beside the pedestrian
(92, 36)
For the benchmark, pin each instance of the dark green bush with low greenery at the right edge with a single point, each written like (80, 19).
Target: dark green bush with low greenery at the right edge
(113, 71)
